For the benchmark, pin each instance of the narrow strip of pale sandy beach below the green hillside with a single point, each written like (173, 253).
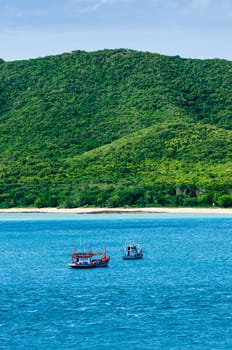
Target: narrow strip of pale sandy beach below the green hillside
(152, 210)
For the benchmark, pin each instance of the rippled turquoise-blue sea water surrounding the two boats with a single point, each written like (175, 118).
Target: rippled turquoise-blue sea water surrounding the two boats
(178, 297)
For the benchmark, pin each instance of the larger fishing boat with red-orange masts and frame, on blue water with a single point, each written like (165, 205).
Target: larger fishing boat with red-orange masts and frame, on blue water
(89, 259)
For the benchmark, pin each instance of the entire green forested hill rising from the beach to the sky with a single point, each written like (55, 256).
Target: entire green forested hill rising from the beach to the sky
(115, 128)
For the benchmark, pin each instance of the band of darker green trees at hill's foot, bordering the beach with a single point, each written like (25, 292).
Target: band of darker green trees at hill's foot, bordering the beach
(156, 196)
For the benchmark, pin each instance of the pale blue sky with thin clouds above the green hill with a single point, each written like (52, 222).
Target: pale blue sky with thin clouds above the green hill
(188, 28)
